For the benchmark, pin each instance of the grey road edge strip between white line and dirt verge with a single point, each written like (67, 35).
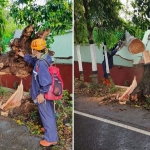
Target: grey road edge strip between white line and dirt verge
(137, 117)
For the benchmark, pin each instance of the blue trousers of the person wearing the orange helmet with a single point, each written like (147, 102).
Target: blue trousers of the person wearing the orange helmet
(47, 115)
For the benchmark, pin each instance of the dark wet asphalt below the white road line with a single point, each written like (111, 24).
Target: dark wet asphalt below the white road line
(91, 134)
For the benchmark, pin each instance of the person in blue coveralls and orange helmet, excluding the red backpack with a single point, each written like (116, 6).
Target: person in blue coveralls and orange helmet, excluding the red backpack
(41, 82)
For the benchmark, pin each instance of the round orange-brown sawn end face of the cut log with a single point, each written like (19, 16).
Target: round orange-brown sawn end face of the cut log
(136, 46)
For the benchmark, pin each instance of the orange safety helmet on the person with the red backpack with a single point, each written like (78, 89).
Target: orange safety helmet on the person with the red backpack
(38, 44)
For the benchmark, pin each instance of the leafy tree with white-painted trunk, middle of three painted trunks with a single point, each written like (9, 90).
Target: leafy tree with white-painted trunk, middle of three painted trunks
(102, 15)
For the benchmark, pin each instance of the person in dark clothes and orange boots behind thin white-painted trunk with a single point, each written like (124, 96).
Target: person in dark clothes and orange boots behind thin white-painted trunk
(110, 55)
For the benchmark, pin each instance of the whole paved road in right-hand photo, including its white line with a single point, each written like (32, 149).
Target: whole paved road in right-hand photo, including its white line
(92, 134)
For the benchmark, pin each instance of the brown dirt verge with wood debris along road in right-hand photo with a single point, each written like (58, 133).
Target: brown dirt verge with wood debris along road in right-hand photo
(107, 95)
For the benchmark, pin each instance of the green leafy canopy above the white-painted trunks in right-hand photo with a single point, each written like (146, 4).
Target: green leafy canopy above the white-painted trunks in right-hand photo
(97, 18)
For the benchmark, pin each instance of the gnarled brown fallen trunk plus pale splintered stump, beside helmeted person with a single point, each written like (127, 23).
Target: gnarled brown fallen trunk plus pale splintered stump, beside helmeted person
(12, 63)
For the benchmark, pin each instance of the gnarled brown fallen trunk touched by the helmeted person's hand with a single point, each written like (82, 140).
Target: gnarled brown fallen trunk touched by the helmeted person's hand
(11, 62)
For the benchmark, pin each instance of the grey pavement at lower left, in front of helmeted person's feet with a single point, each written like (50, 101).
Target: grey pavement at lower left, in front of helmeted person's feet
(14, 137)
